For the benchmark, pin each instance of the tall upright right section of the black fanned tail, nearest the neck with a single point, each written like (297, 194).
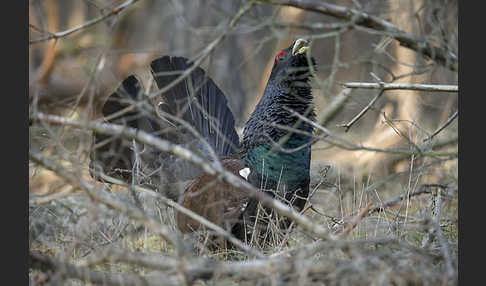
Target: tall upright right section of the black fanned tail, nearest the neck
(198, 101)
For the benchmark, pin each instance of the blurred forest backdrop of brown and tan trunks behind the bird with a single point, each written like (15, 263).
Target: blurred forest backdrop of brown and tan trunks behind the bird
(60, 70)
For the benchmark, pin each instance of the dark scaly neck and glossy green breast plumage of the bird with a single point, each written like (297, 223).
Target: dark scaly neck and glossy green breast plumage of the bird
(263, 157)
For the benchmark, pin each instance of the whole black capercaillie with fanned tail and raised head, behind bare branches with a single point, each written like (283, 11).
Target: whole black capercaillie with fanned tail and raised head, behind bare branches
(273, 155)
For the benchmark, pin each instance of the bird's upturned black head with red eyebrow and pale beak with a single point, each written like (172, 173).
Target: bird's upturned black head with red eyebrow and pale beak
(292, 63)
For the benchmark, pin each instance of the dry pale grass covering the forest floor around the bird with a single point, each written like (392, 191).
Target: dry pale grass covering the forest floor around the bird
(399, 245)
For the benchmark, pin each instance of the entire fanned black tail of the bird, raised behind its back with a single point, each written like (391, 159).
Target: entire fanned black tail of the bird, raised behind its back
(196, 100)
